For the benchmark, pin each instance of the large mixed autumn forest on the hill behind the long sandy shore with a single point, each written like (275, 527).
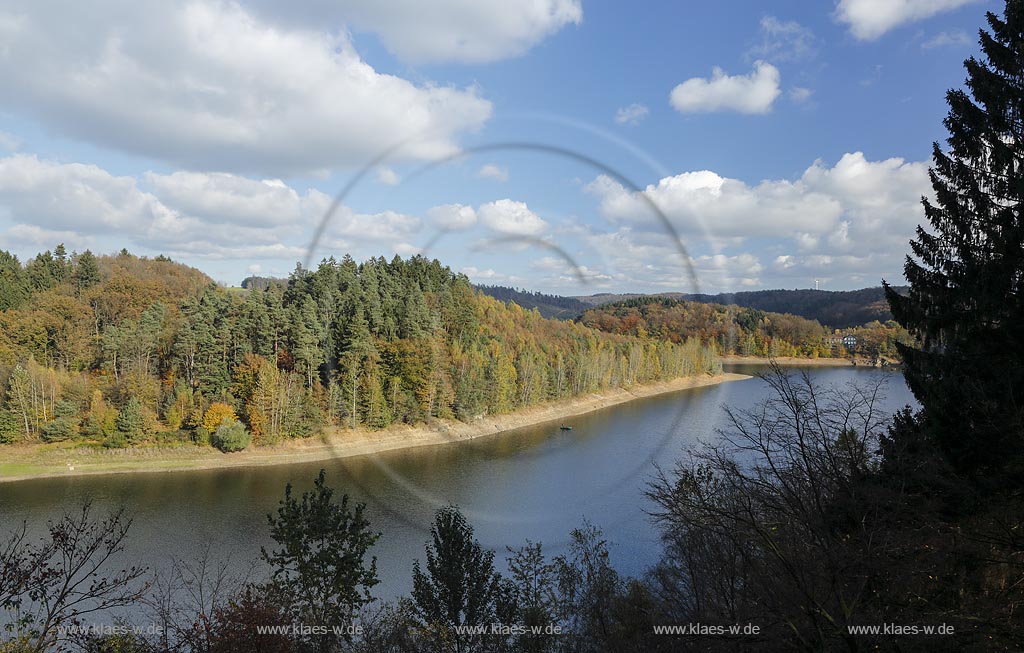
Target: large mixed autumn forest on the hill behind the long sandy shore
(121, 351)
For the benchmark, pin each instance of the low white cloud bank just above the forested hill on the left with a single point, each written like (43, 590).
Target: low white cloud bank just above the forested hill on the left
(192, 214)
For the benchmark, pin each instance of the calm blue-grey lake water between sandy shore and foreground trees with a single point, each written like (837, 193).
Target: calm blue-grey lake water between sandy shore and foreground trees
(536, 484)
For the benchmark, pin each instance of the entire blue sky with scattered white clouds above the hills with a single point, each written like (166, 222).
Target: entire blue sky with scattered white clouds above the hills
(784, 142)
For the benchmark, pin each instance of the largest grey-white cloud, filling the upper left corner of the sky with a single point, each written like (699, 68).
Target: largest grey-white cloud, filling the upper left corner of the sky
(211, 86)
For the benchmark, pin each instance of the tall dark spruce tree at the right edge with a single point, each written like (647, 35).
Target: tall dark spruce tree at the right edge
(967, 280)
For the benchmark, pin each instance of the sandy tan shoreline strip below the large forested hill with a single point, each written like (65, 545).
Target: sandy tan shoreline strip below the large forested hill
(335, 444)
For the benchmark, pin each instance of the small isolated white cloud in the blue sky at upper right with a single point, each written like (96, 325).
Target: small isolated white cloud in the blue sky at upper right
(752, 94)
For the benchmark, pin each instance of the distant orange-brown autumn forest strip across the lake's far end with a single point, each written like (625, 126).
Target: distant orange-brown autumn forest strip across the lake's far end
(746, 332)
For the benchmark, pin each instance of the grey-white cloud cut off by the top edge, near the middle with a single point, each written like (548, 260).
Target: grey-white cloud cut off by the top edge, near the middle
(466, 31)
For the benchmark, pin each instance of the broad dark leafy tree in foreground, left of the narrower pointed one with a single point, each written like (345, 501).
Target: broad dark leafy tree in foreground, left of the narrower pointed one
(320, 564)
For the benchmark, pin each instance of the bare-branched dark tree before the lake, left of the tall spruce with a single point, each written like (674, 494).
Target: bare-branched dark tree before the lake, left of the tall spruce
(776, 525)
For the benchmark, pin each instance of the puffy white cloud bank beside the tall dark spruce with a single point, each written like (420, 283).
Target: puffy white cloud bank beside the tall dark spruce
(856, 203)
